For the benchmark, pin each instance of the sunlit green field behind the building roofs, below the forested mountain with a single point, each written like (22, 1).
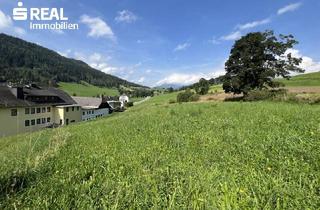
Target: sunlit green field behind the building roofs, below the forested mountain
(86, 89)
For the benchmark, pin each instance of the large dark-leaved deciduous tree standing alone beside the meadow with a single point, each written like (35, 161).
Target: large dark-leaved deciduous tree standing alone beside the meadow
(256, 59)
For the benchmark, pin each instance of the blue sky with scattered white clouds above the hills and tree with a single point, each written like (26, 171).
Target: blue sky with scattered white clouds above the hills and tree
(168, 41)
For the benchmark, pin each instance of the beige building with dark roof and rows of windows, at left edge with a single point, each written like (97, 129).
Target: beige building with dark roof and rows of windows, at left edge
(30, 108)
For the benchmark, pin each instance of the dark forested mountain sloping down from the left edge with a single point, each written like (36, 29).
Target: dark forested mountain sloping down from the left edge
(22, 61)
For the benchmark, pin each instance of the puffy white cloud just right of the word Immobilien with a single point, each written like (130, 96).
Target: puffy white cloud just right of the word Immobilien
(98, 27)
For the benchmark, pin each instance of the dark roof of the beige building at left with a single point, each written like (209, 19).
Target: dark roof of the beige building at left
(8, 99)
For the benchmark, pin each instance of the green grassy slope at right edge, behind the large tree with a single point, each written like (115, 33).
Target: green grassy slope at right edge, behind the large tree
(311, 79)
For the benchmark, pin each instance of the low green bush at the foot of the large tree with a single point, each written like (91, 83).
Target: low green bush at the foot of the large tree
(258, 95)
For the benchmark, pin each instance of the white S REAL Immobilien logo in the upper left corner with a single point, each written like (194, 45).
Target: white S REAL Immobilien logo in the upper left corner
(37, 17)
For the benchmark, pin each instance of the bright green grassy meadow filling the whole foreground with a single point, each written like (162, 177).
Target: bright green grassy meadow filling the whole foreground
(214, 155)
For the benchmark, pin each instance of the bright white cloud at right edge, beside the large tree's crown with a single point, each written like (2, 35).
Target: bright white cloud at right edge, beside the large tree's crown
(307, 63)
